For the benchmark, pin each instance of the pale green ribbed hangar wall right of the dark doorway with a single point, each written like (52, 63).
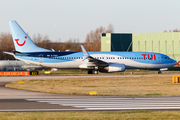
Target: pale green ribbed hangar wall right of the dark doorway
(167, 43)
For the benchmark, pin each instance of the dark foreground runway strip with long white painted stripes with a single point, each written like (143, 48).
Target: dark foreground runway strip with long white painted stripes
(89, 104)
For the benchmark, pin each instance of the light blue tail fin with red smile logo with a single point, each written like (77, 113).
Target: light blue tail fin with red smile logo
(21, 40)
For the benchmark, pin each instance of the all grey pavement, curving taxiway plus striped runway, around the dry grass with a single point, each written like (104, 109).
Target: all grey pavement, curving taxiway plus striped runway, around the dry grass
(13, 100)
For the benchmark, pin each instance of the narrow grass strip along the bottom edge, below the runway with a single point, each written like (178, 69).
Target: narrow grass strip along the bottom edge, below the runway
(103, 115)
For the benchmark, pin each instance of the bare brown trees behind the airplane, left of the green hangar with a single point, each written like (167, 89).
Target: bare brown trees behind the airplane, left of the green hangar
(91, 43)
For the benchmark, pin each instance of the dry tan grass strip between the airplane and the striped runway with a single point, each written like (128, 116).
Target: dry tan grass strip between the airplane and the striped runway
(116, 86)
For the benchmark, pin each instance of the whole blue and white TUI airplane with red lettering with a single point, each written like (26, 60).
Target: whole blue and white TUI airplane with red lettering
(27, 51)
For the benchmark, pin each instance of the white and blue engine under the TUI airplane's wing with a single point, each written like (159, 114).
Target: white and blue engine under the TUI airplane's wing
(114, 67)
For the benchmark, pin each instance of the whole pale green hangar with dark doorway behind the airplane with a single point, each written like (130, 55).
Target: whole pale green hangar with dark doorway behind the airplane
(166, 43)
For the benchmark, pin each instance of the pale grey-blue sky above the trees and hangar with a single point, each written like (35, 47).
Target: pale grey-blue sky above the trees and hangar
(67, 19)
